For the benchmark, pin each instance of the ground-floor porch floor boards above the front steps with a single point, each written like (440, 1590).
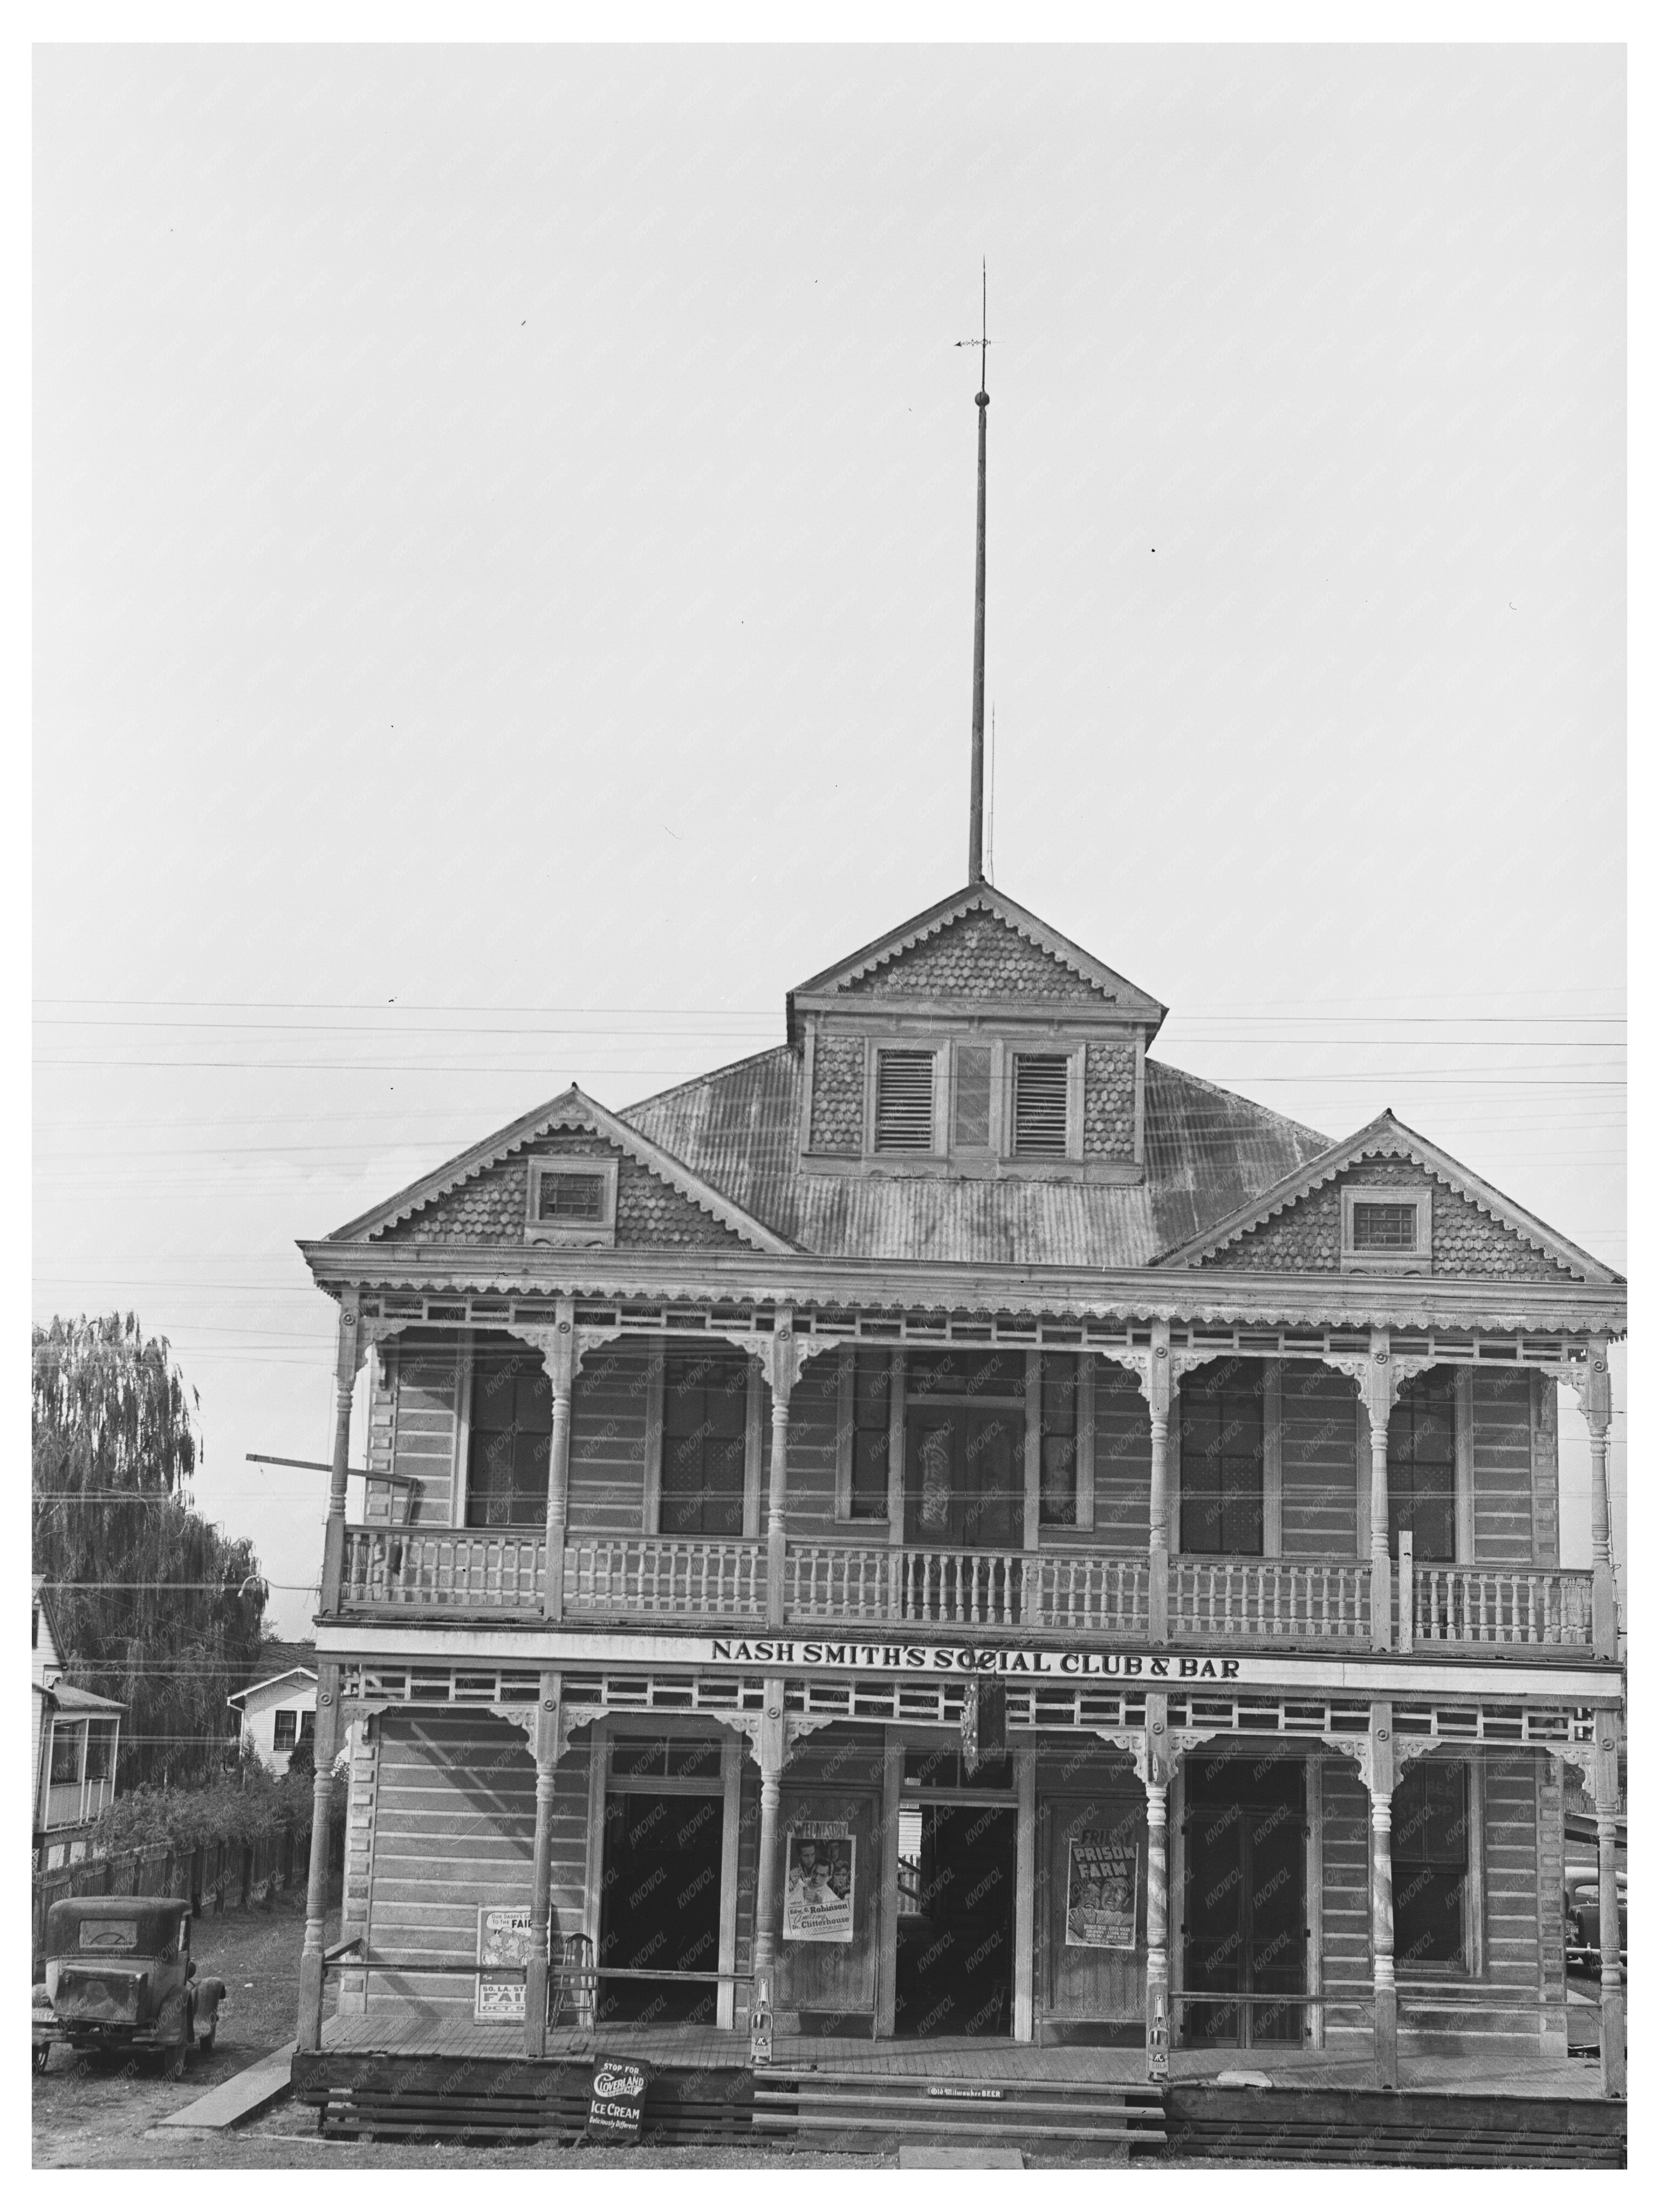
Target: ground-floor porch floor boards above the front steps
(432, 2032)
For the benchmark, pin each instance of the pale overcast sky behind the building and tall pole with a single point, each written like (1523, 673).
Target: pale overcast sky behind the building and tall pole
(503, 607)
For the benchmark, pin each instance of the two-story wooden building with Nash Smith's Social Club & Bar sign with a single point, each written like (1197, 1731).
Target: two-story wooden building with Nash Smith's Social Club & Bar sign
(957, 1530)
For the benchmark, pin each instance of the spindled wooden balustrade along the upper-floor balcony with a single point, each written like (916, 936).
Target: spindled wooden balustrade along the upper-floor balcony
(1295, 1605)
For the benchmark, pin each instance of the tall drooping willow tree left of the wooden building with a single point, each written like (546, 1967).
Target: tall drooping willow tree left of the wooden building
(156, 1605)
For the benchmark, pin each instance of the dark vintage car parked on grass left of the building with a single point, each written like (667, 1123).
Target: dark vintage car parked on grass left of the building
(121, 1981)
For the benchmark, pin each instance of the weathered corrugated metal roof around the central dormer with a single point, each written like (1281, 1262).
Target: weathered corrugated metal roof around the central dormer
(1207, 1154)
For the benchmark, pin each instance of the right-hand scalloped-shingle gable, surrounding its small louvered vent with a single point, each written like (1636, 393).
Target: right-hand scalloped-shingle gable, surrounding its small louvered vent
(1297, 1229)
